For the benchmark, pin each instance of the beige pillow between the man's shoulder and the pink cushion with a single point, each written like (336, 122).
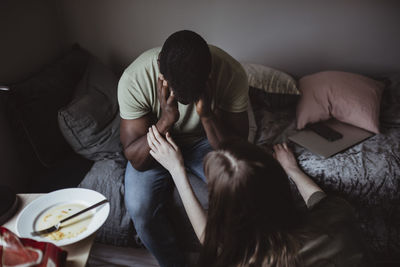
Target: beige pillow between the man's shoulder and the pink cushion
(273, 88)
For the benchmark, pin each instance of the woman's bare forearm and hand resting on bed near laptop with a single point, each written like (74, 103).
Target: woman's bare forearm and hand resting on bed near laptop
(304, 184)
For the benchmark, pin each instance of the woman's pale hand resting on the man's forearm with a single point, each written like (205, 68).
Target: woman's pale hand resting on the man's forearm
(165, 151)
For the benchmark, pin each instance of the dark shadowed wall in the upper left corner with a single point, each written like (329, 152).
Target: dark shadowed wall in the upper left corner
(30, 36)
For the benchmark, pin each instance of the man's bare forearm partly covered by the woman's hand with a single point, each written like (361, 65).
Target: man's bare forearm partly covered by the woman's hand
(137, 152)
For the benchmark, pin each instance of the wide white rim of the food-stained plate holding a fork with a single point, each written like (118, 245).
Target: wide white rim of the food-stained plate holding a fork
(27, 219)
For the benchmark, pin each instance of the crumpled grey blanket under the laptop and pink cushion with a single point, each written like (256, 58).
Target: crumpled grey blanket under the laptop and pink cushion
(367, 175)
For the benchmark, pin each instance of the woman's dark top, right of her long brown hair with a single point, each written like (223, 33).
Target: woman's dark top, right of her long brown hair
(335, 239)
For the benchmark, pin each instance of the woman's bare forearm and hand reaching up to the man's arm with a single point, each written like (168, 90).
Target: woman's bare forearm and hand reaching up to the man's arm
(167, 153)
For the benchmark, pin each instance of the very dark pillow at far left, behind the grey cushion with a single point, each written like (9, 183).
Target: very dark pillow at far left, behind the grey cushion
(33, 104)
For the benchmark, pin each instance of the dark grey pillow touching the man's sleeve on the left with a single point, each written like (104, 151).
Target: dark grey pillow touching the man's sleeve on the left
(90, 123)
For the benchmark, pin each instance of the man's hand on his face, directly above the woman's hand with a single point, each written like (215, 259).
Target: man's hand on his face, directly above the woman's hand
(169, 106)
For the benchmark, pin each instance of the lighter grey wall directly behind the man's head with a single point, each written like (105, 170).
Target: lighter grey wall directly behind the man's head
(299, 37)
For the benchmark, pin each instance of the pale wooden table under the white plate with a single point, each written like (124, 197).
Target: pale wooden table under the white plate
(78, 253)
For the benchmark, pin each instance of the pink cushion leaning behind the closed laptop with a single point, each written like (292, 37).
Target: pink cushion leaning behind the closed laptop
(348, 97)
